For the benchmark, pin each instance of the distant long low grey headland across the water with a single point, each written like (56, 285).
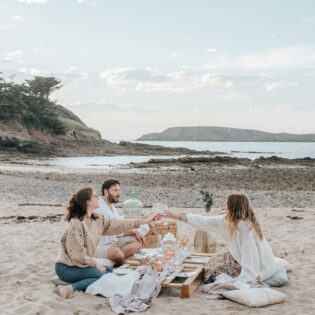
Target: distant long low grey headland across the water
(224, 134)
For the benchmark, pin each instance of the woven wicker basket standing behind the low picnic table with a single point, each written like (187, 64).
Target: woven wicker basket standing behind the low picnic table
(160, 227)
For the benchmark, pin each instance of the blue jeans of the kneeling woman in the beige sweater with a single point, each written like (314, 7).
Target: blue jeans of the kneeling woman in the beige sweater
(80, 278)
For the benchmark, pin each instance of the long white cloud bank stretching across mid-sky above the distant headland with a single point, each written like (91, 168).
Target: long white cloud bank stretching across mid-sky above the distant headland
(187, 80)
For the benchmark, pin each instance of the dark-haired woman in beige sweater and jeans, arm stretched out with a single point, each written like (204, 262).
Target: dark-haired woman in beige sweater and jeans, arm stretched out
(75, 262)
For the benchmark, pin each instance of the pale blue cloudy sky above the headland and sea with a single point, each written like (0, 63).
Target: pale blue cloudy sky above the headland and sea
(132, 67)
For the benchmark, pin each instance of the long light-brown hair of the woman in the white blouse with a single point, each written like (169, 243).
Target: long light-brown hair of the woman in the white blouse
(239, 209)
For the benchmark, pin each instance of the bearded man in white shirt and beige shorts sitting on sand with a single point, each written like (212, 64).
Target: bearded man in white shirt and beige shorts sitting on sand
(116, 247)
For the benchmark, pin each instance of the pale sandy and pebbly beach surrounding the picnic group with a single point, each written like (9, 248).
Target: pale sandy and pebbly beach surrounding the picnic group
(31, 217)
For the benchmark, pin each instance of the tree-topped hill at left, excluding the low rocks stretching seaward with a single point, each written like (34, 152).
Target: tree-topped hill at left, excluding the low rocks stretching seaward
(31, 123)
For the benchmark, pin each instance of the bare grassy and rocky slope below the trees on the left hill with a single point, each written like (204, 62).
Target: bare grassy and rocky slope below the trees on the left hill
(77, 137)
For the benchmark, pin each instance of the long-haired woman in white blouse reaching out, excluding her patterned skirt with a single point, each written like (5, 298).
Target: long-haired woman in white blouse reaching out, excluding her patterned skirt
(242, 234)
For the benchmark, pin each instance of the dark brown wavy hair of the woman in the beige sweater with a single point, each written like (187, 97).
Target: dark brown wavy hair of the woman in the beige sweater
(77, 206)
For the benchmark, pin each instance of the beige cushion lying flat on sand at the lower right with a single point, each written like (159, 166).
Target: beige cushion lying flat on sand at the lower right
(255, 297)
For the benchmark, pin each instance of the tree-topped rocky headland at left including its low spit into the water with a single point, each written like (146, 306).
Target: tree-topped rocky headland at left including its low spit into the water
(33, 126)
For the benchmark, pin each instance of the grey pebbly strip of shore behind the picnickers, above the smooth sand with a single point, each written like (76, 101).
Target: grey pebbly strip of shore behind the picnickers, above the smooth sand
(178, 185)
